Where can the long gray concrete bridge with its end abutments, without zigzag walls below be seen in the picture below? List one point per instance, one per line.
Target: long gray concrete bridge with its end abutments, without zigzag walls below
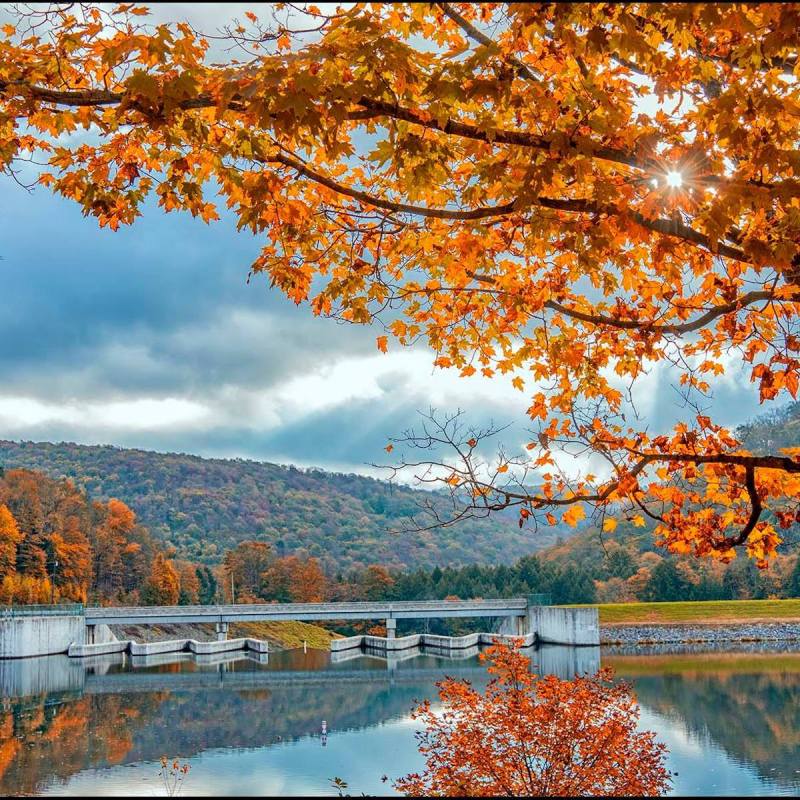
(28, 631)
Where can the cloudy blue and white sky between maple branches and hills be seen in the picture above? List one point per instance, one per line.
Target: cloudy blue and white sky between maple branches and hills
(152, 337)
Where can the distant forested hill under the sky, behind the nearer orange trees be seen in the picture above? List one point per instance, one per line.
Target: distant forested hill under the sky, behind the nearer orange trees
(205, 506)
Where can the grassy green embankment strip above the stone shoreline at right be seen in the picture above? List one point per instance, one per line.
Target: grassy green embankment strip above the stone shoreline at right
(699, 611)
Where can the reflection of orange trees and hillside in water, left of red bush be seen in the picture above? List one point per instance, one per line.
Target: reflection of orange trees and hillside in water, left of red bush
(56, 735)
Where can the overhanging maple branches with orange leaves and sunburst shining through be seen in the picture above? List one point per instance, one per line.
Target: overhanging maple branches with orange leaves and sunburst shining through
(563, 194)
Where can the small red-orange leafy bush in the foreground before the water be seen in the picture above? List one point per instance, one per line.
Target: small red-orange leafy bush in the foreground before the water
(529, 736)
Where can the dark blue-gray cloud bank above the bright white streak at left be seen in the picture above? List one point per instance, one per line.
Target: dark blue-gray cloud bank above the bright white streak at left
(159, 308)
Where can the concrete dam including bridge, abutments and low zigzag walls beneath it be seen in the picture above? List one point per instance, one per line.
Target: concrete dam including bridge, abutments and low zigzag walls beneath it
(27, 631)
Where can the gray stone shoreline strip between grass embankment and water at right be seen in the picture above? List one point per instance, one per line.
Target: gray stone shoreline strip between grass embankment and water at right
(673, 633)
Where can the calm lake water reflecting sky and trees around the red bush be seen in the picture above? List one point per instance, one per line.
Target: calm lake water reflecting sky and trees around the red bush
(731, 720)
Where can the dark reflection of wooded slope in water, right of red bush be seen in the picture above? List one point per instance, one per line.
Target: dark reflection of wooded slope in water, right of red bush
(754, 716)
